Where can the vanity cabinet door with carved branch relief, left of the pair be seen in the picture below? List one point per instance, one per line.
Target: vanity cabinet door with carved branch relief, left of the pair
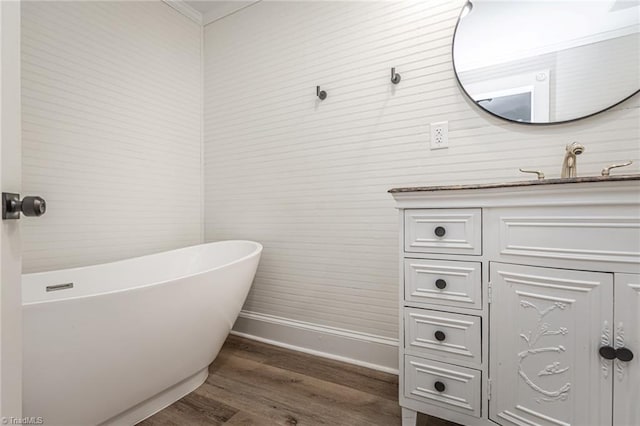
(546, 328)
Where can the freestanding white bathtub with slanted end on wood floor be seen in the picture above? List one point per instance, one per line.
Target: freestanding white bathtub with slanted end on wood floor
(130, 337)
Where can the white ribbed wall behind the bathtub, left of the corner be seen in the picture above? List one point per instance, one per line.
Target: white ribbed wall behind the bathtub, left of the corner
(111, 104)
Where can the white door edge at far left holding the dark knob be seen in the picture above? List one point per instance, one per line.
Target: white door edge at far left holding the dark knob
(11, 377)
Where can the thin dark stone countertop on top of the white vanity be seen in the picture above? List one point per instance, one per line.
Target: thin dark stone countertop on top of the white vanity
(557, 181)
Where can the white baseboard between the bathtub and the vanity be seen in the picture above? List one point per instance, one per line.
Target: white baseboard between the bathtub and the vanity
(366, 350)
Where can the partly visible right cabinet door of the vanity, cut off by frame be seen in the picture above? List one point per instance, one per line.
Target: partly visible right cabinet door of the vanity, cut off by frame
(626, 376)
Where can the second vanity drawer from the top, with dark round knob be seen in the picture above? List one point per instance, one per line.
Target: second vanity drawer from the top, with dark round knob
(443, 282)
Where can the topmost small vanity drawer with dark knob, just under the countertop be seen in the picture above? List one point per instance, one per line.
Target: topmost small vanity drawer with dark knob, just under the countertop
(446, 231)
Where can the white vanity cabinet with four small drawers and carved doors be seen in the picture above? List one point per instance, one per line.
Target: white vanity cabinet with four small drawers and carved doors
(520, 303)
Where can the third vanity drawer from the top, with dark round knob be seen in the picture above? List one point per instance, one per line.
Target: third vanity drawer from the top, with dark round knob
(447, 336)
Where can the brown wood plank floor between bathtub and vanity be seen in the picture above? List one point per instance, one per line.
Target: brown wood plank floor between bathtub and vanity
(251, 383)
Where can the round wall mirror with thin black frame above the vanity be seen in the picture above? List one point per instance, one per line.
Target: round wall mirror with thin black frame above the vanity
(541, 62)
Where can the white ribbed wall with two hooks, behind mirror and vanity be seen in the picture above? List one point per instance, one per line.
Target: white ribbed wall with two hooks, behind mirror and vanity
(308, 179)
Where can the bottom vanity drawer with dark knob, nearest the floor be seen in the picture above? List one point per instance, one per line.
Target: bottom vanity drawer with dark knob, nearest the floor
(443, 385)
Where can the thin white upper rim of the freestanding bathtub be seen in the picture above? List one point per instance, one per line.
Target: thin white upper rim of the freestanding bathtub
(257, 251)
